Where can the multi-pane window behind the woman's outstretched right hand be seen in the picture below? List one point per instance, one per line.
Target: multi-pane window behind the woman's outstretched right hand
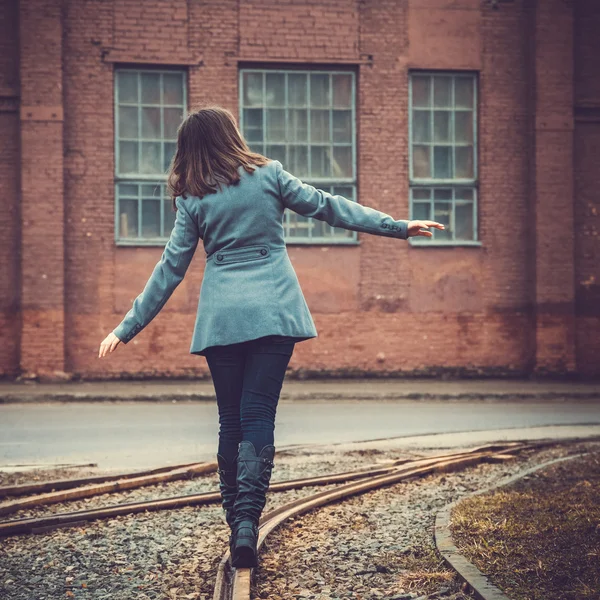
(443, 155)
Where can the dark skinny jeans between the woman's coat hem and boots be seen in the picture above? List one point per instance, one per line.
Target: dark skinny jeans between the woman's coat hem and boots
(248, 377)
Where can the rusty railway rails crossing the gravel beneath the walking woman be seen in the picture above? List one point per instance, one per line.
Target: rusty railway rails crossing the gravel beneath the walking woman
(231, 583)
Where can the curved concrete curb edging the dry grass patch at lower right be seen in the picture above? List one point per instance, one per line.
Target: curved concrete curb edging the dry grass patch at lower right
(482, 587)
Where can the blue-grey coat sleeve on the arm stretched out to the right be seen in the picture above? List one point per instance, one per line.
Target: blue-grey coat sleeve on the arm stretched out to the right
(335, 210)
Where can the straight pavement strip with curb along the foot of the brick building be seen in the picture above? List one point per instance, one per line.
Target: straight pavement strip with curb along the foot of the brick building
(365, 388)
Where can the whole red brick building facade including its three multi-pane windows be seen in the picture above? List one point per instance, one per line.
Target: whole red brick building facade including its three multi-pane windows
(518, 293)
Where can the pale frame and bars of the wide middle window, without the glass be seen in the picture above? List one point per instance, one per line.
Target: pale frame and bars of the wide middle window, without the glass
(327, 184)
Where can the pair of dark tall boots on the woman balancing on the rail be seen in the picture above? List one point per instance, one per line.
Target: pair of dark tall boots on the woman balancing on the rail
(253, 476)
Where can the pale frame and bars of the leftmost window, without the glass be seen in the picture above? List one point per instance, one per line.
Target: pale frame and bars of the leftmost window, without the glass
(140, 179)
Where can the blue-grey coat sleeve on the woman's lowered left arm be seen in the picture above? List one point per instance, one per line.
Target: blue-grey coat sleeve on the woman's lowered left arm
(166, 276)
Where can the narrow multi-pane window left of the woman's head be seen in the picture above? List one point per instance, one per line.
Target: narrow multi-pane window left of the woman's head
(149, 106)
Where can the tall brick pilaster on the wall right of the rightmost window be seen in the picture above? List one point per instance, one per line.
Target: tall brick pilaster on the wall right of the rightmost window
(554, 185)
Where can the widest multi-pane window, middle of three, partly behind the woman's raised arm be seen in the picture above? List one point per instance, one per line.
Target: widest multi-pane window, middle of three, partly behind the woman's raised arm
(306, 120)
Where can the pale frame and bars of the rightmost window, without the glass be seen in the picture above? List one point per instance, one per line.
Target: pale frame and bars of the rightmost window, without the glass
(453, 184)
